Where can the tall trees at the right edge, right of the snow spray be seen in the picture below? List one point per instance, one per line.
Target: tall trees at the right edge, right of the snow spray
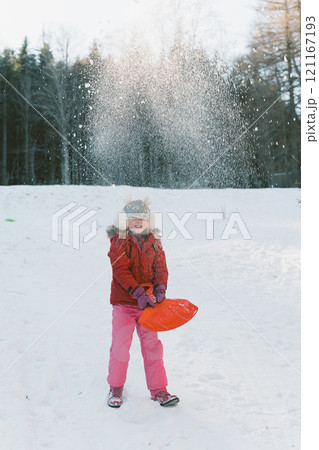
(269, 75)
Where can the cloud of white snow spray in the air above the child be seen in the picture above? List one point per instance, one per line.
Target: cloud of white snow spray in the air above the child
(168, 121)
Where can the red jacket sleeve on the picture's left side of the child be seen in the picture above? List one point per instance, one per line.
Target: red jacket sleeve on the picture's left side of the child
(121, 265)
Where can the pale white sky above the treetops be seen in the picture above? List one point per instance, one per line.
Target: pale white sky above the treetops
(222, 24)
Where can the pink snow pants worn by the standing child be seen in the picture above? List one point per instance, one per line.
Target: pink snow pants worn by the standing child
(124, 321)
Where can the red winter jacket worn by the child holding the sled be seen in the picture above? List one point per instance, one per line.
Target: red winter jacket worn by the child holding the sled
(132, 266)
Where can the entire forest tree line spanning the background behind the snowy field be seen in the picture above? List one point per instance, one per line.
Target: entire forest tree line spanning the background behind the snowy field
(157, 122)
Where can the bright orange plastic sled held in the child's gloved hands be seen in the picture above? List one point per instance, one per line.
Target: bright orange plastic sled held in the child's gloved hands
(167, 315)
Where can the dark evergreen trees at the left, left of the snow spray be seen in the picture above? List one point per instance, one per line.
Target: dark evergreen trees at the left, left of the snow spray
(38, 91)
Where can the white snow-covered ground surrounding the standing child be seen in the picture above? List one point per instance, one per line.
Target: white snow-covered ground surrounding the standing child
(235, 366)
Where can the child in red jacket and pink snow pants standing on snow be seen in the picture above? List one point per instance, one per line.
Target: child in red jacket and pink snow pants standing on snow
(137, 257)
